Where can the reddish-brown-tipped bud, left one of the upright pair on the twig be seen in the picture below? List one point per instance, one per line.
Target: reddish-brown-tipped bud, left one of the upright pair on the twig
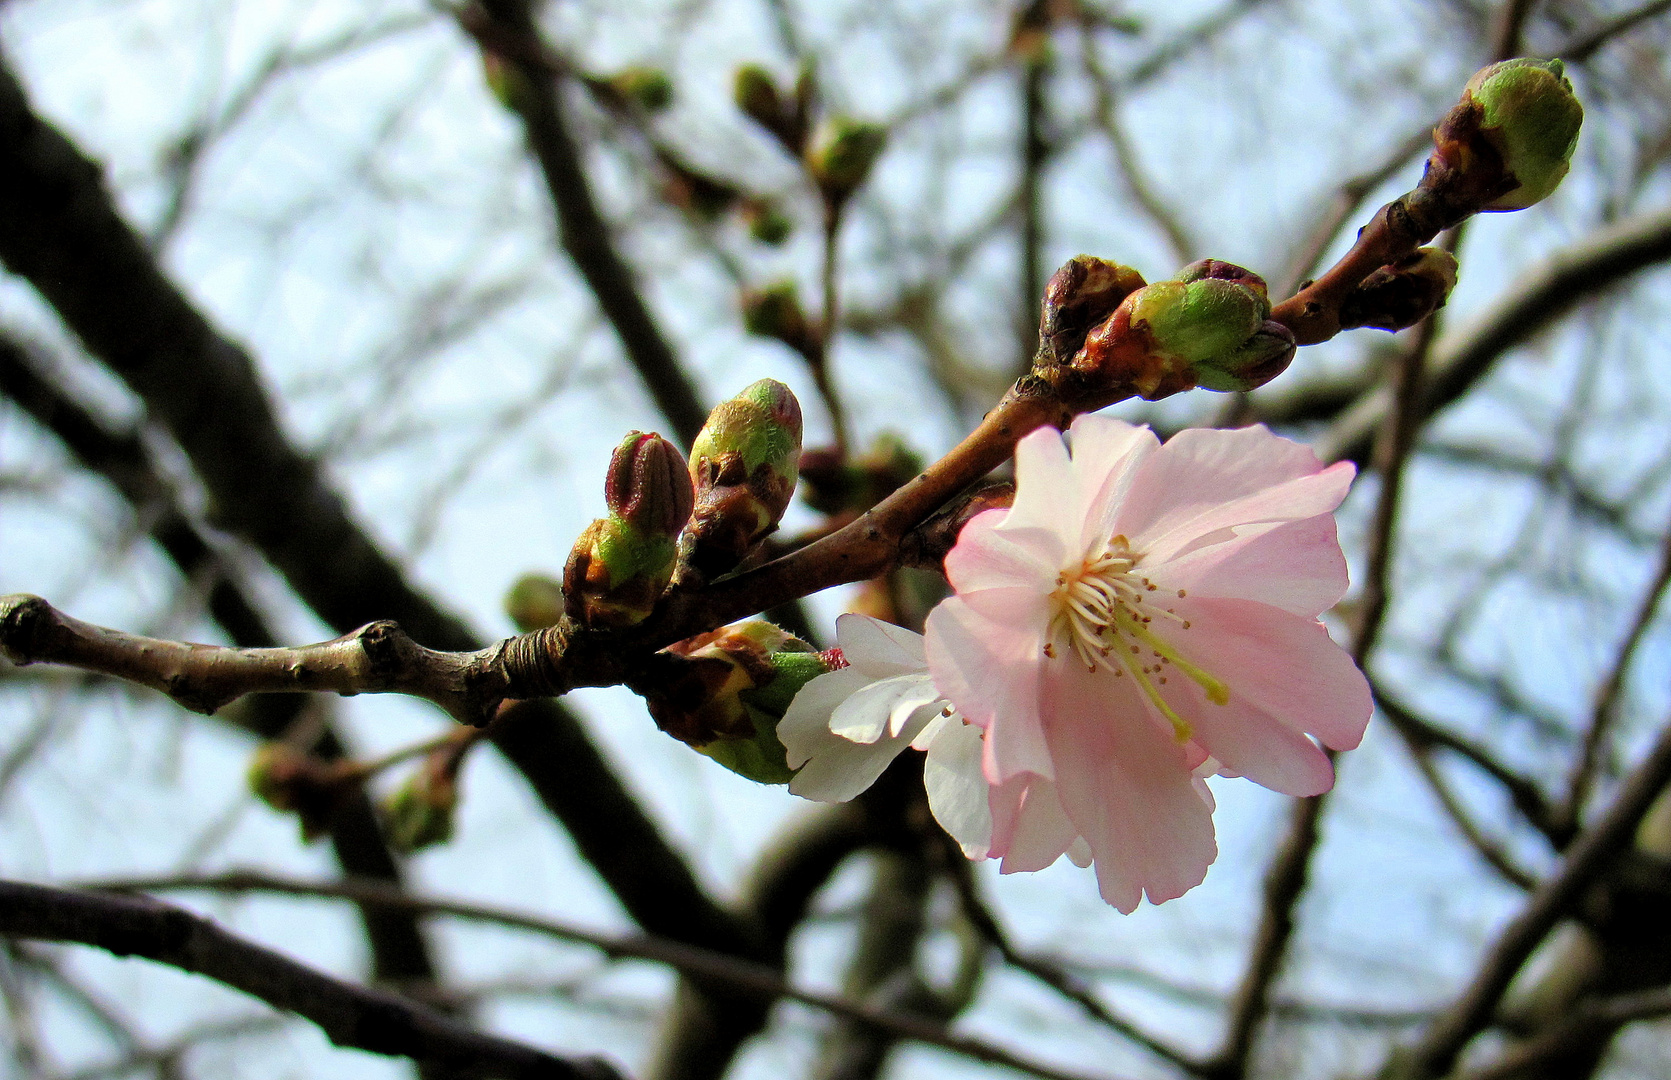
(621, 566)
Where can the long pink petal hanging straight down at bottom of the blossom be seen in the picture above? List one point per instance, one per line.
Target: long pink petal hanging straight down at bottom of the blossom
(1124, 783)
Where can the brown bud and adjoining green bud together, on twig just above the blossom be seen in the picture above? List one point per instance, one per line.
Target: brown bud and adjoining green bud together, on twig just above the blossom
(1209, 327)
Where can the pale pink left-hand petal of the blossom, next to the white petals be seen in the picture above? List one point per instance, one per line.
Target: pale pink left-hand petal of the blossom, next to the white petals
(992, 673)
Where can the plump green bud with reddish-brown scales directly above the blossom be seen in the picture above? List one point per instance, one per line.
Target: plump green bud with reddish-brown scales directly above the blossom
(1209, 327)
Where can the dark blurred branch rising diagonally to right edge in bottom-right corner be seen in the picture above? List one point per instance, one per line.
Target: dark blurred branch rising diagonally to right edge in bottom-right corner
(1585, 862)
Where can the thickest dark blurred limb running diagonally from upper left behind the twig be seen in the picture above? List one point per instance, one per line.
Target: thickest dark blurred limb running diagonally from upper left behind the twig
(61, 230)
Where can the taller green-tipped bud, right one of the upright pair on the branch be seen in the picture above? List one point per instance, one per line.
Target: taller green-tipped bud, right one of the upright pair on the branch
(744, 466)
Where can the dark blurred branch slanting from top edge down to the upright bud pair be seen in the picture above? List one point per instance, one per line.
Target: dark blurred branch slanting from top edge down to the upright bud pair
(507, 29)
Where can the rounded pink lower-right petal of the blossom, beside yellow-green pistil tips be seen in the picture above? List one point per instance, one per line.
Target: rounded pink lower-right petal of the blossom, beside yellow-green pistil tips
(1279, 663)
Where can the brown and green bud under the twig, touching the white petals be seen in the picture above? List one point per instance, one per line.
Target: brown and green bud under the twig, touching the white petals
(728, 690)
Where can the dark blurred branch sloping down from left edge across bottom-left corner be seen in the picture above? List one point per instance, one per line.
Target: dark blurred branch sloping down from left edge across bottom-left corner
(358, 1017)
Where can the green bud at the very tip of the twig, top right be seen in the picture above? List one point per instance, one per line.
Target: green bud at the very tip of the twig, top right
(1533, 120)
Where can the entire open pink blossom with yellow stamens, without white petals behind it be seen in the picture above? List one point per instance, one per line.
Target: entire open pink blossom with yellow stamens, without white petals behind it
(1140, 616)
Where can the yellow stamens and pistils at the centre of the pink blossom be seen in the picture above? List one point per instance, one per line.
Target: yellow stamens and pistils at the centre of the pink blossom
(1104, 616)
